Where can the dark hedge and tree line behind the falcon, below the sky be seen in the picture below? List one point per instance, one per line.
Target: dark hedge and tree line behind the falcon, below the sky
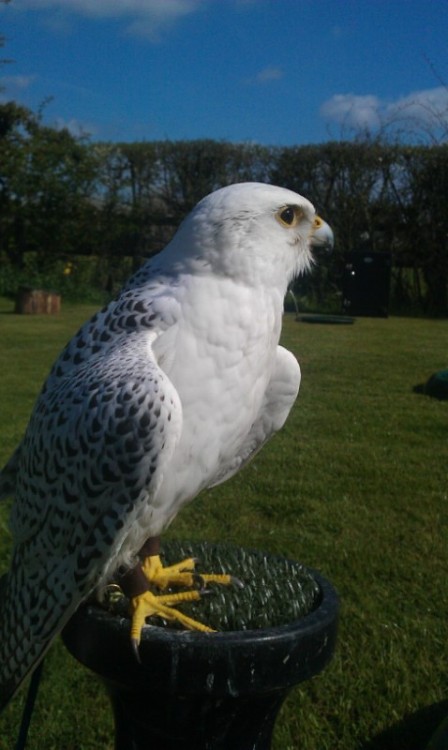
(77, 213)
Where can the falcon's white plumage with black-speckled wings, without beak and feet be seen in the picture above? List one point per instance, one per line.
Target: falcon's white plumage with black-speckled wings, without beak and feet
(168, 390)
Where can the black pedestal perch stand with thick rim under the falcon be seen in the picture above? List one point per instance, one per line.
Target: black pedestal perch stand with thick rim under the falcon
(203, 691)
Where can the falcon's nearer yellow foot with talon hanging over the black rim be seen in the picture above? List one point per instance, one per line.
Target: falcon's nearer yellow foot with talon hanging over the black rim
(149, 604)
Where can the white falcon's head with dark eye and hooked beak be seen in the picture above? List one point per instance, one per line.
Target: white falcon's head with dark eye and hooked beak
(255, 233)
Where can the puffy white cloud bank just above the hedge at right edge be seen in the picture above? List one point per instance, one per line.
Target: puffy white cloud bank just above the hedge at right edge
(425, 109)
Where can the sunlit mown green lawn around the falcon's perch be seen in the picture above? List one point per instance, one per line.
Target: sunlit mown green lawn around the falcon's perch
(355, 486)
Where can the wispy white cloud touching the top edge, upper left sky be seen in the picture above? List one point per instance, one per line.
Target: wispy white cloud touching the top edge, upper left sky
(143, 17)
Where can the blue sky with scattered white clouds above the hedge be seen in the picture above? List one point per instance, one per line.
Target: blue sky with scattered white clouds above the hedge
(276, 72)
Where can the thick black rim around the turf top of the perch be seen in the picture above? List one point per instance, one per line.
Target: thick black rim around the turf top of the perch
(219, 664)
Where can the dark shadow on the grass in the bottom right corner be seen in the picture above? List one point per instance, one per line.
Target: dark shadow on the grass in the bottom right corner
(413, 732)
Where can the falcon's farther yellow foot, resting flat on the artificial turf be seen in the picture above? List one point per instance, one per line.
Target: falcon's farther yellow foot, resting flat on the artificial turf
(180, 574)
